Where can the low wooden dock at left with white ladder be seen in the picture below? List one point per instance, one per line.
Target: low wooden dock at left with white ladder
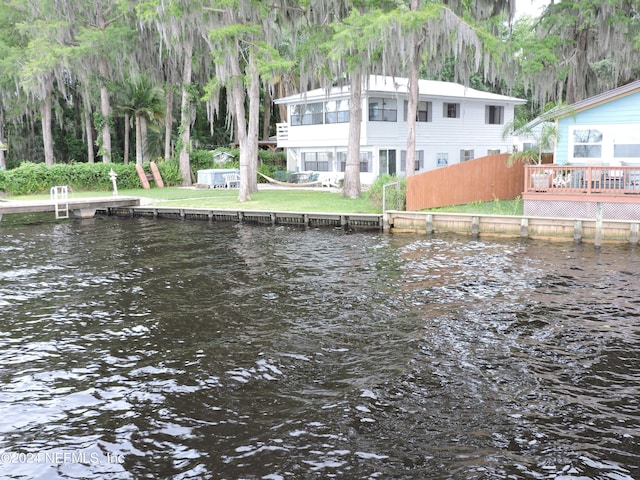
(80, 207)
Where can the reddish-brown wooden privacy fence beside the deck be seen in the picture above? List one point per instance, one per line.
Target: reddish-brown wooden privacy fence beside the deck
(482, 179)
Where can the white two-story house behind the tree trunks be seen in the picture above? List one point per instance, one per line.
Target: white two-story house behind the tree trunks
(454, 124)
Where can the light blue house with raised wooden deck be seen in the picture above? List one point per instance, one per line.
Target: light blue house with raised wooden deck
(596, 169)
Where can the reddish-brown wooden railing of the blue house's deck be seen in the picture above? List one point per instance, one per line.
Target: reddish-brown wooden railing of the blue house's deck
(582, 180)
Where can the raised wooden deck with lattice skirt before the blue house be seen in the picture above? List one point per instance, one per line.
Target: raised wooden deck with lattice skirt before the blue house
(582, 191)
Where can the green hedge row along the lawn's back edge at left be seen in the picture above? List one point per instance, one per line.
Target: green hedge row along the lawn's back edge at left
(30, 178)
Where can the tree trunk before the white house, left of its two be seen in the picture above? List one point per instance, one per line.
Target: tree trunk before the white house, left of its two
(352, 187)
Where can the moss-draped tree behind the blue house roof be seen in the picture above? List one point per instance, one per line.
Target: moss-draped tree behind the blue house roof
(579, 48)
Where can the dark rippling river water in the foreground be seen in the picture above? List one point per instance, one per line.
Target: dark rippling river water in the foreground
(136, 348)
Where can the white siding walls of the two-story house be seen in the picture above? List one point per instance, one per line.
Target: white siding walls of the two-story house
(440, 136)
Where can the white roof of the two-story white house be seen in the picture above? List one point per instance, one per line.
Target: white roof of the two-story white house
(396, 85)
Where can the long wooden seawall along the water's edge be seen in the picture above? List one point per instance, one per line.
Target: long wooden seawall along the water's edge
(593, 230)
